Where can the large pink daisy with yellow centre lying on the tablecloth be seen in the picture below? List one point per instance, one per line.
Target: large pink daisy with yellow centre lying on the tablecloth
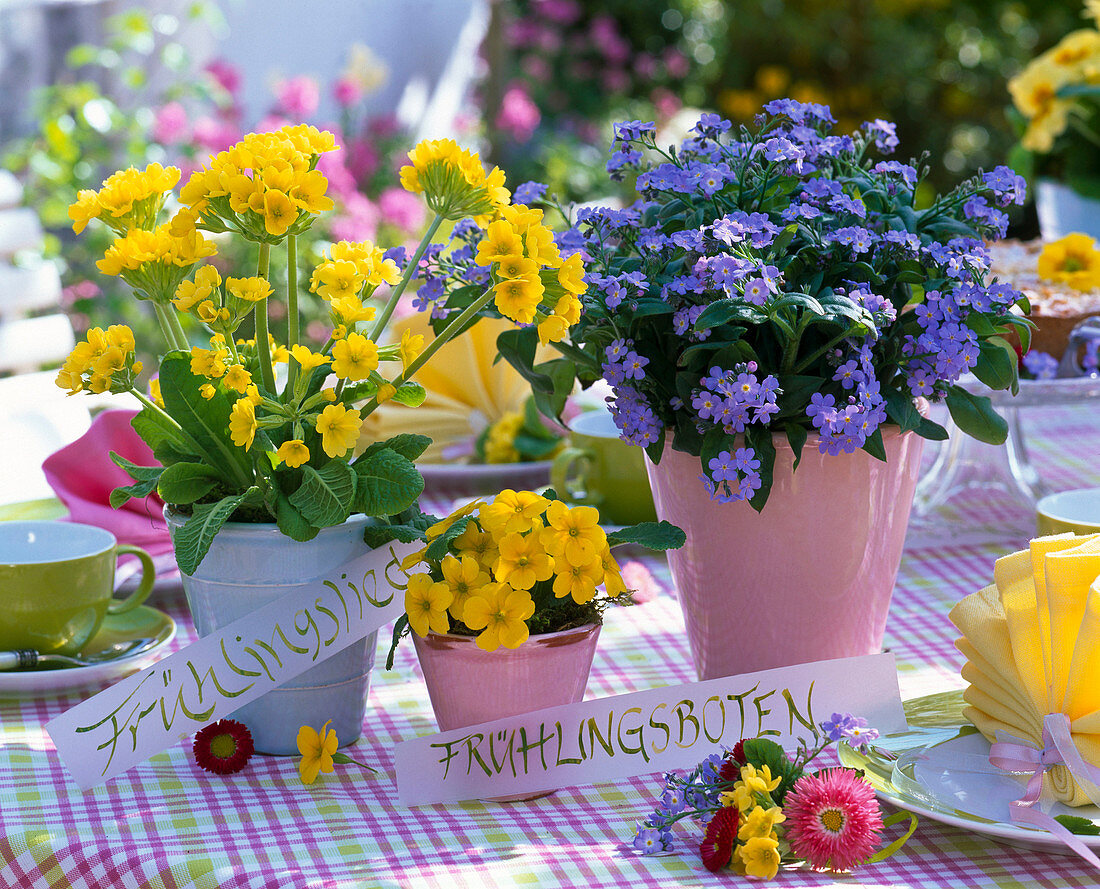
(833, 820)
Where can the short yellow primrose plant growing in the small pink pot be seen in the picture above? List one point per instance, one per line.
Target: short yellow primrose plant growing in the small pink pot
(522, 564)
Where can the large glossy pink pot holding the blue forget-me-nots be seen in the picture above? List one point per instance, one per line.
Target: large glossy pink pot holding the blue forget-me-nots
(810, 578)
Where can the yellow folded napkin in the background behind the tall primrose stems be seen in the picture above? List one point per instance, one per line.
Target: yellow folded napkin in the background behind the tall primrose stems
(466, 392)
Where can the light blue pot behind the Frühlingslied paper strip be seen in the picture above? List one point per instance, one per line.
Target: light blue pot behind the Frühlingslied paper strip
(250, 566)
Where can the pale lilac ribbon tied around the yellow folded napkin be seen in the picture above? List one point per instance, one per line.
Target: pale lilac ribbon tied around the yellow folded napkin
(1014, 754)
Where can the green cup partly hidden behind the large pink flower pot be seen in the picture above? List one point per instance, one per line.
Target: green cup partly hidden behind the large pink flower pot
(601, 470)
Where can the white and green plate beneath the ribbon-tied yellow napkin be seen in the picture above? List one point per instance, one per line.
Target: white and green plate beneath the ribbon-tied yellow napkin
(942, 772)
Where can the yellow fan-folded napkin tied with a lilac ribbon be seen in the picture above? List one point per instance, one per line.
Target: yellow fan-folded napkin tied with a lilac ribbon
(1032, 643)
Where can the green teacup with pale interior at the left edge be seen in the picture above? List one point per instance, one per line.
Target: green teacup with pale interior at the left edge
(58, 585)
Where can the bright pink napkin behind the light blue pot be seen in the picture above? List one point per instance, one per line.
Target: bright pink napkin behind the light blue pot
(84, 476)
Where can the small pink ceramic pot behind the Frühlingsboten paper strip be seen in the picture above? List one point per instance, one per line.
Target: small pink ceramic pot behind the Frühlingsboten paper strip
(468, 686)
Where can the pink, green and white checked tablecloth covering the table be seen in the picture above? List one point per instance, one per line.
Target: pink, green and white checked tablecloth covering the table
(169, 826)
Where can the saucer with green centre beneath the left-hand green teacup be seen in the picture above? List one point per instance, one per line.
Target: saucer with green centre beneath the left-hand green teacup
(141, 622)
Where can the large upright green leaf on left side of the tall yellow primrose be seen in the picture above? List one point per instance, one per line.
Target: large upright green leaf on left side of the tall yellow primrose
(205, 421)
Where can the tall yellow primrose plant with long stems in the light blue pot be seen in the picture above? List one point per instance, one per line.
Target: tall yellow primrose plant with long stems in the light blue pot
(248, 430)
